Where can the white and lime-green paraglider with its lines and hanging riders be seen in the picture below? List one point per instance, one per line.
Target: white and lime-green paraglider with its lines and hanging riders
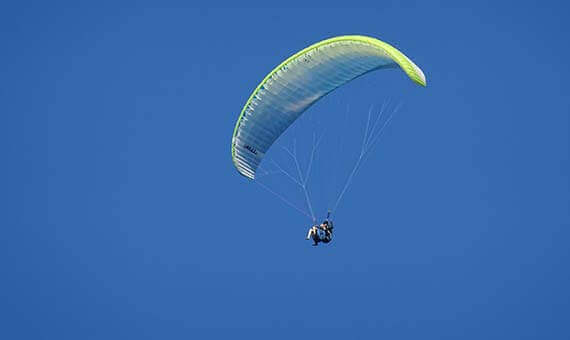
(296, 84)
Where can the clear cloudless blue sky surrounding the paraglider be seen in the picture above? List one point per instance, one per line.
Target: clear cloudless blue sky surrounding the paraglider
(123, 216)
